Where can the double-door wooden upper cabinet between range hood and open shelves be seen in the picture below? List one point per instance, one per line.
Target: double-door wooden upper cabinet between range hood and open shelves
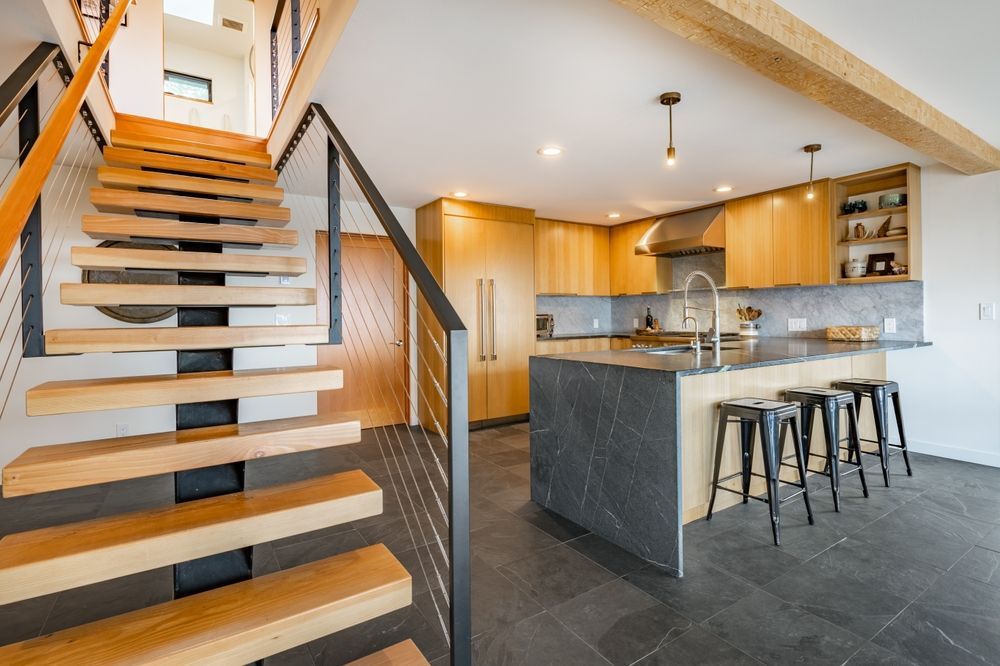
(779, 239)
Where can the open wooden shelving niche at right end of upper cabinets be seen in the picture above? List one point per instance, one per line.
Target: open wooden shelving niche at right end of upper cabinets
(870, 185)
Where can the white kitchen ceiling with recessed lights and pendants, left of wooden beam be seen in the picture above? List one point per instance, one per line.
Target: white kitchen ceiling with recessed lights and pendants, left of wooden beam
(444, 95)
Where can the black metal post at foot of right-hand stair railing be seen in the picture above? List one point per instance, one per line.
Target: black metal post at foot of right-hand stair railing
(458, 498)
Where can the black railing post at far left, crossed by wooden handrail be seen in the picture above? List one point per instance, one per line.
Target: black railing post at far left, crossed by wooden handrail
(32, 329)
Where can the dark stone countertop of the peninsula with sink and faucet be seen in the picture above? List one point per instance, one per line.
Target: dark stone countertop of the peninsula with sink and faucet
(754, 353)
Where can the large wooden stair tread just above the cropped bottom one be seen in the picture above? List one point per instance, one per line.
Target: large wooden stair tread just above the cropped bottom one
(236, 624)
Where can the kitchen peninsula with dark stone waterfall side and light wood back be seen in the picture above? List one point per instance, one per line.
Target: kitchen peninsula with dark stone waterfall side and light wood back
(622, 442)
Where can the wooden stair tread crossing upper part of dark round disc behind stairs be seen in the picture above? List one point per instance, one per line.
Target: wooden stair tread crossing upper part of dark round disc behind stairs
(121, 258)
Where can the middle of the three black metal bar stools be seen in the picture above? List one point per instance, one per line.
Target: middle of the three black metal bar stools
(830, 402)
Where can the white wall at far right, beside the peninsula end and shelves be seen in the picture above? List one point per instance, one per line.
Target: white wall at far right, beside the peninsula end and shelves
(951, 391)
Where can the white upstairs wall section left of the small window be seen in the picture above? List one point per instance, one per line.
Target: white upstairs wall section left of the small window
(137, 61)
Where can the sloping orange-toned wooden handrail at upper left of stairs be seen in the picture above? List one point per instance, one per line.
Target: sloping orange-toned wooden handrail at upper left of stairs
(30, 178)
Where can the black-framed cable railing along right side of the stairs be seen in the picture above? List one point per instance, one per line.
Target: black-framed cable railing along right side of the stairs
(394, 374)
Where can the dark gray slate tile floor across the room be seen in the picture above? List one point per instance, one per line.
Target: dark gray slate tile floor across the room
(909, 576)
